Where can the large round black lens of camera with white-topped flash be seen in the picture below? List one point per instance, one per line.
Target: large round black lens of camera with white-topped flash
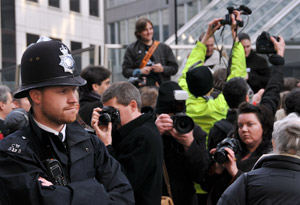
(183, 124)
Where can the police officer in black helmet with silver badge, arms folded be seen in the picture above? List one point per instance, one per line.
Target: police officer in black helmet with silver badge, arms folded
(54, 160)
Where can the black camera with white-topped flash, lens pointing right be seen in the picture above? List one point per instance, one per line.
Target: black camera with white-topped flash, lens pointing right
(181, 122)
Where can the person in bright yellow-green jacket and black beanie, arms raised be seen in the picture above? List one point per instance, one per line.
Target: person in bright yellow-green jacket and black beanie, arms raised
(198, 80)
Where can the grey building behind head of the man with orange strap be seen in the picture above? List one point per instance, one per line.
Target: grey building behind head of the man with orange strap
(121, 15)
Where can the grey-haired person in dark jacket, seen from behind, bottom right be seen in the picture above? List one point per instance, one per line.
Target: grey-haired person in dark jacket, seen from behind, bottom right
(275, 176)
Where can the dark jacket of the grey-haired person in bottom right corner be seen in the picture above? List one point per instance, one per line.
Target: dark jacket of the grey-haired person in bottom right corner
(273, 180)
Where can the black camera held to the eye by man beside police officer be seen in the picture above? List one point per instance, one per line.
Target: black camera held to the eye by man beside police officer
(109, 114)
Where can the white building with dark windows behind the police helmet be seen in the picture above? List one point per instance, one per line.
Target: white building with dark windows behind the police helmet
(77, 23)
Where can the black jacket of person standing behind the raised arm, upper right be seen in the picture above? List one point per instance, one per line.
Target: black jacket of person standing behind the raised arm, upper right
(259, 74)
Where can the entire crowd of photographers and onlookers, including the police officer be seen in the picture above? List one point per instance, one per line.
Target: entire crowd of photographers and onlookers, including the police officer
(225, 133)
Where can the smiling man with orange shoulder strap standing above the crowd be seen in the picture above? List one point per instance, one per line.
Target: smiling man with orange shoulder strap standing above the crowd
(156, 66)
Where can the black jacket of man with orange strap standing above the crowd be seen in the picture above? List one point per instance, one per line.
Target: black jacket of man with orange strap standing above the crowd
(163, 54)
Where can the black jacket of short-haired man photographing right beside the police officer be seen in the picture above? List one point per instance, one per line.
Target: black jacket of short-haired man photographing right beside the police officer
(138, 147)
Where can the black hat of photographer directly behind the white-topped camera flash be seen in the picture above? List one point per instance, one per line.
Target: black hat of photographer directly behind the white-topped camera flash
(165, 101)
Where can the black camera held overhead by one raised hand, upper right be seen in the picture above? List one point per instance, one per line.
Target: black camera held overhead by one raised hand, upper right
(264, 45)
